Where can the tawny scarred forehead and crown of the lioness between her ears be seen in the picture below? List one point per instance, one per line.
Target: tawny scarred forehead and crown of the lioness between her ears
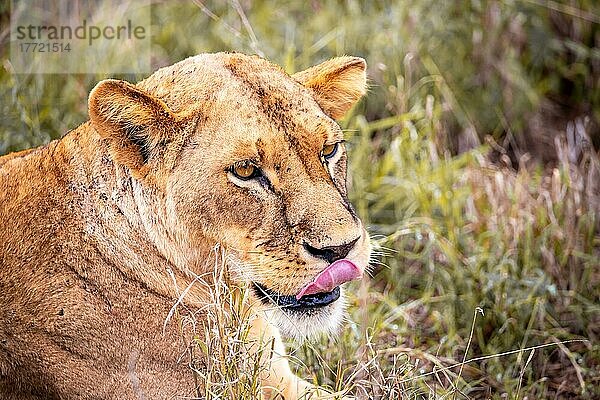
(259, 108)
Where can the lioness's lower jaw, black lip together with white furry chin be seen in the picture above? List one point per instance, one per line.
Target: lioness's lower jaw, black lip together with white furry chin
(307, 318)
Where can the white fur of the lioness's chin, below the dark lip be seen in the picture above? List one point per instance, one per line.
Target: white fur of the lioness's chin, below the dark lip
(310, 324)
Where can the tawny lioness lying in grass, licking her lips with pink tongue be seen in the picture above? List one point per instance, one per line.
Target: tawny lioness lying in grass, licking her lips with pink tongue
(98, 230)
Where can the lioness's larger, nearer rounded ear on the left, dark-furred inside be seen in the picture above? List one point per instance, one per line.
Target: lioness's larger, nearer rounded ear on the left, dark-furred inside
(134, 123)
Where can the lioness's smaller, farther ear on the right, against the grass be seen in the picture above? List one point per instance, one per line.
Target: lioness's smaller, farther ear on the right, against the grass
(337, 84)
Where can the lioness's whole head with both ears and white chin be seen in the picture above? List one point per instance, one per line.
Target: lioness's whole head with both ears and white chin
(229, 149)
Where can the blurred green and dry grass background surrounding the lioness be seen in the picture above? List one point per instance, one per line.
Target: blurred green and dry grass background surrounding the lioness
(473, 160)
